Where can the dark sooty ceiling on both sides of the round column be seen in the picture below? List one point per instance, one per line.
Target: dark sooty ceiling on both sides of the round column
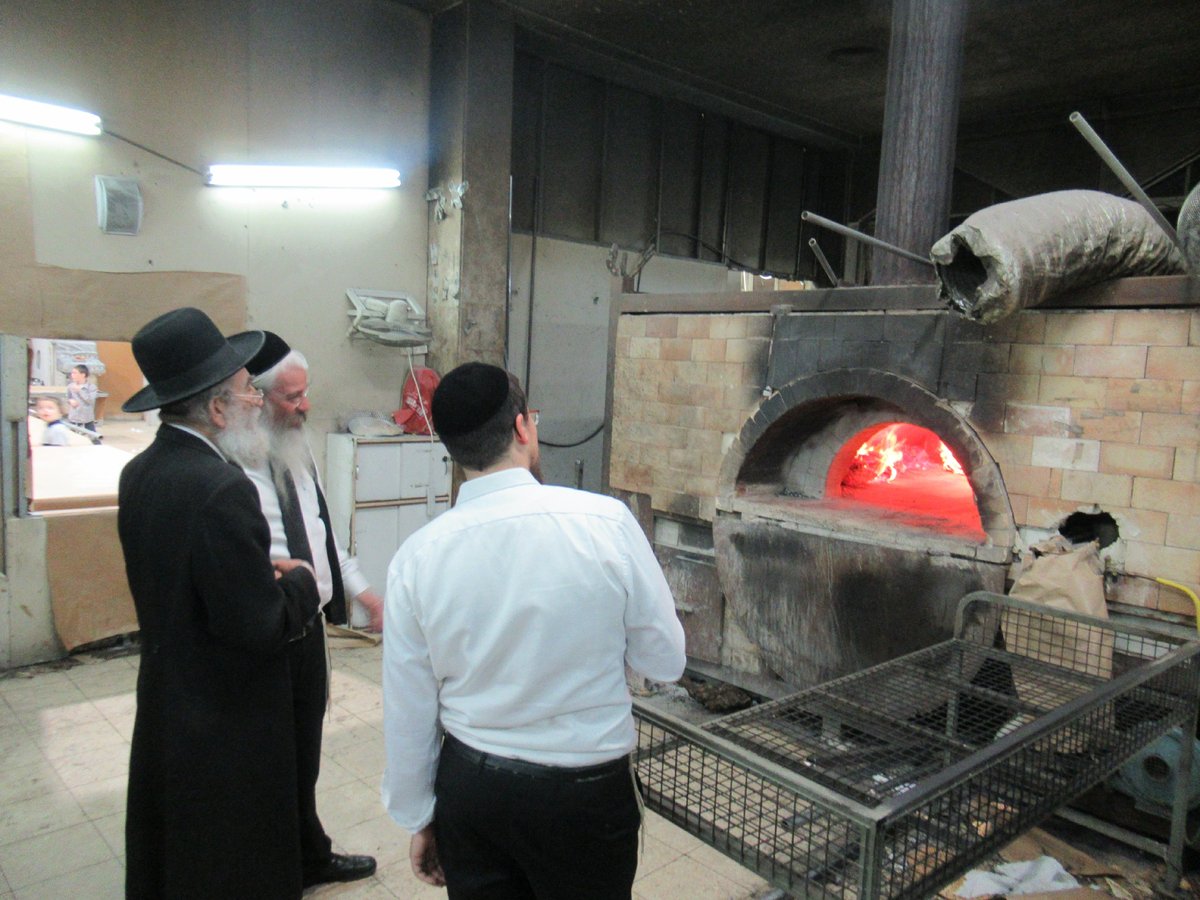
(824, 63)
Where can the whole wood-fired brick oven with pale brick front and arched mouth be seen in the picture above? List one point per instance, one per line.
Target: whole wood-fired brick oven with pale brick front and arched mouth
(1088, 407)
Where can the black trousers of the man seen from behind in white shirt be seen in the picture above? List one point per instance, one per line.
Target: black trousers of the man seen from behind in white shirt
(535, 832)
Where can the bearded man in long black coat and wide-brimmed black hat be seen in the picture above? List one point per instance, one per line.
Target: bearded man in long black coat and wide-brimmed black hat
(213, 785)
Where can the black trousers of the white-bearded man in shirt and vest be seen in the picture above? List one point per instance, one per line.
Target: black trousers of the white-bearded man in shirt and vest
(308, 663)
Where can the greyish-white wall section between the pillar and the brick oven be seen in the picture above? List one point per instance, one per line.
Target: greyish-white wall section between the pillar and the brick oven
(571, 289)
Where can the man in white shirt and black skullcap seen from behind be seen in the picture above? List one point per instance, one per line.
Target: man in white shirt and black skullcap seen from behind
(509, 622)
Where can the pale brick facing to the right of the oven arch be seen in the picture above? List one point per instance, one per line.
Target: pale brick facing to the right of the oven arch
(1102, 415)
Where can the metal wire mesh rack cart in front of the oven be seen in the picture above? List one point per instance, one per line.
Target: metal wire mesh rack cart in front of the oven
(896, 781)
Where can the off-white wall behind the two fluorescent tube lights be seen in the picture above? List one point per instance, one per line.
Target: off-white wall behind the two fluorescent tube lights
(328, 82)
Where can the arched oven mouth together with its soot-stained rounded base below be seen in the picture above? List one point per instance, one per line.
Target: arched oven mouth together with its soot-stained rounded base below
(836, 556)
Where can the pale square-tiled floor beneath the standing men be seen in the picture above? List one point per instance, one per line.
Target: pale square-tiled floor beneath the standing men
(64, 751)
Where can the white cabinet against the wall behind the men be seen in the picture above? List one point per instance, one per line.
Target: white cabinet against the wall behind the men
(380, 491)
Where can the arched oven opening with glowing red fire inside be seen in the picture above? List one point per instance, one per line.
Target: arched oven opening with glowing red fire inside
(794, 455)
